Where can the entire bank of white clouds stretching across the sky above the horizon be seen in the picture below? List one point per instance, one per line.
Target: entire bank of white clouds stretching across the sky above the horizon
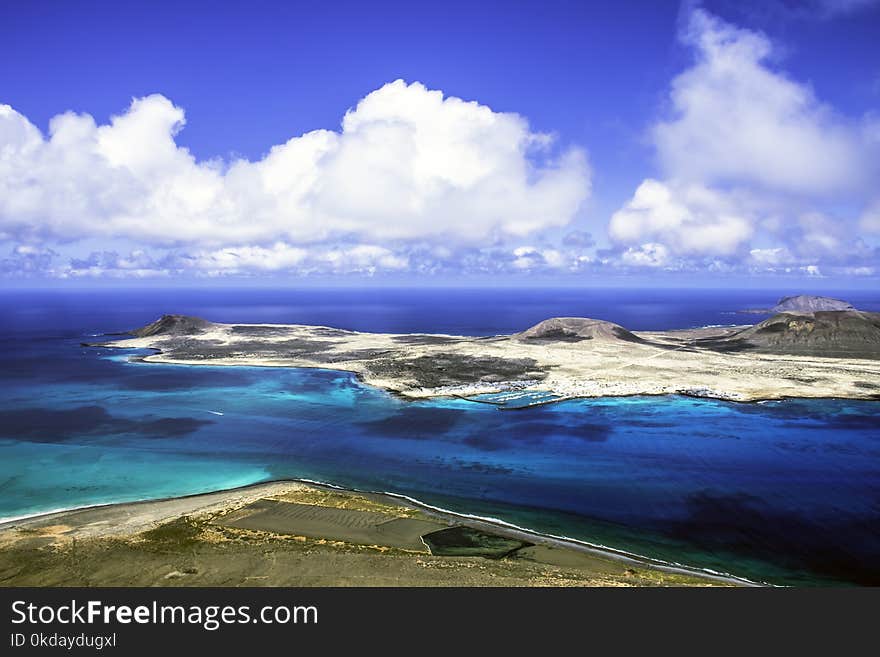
(753, 173)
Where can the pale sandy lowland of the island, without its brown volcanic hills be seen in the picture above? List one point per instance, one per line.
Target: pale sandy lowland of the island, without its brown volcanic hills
(602, 364)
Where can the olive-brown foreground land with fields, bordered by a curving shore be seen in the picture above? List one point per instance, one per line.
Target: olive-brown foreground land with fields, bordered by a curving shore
(293, 533)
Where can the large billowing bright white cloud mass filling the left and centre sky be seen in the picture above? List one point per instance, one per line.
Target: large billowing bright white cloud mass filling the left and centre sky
(407, 164)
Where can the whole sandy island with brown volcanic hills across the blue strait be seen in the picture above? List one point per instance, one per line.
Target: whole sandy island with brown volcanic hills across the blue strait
(797, 353)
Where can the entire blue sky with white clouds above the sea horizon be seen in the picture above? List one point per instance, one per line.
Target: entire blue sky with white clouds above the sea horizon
(572, 143)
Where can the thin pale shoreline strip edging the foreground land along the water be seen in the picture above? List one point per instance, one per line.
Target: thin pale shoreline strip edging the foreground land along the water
(472, 520)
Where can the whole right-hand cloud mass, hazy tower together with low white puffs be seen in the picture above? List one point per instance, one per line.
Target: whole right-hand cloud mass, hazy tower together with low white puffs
(749, 158)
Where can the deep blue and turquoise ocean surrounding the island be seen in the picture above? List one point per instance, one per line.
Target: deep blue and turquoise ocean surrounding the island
(784, 492)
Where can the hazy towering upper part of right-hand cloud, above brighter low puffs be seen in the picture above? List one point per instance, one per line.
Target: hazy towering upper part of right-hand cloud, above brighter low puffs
(736, 120)
